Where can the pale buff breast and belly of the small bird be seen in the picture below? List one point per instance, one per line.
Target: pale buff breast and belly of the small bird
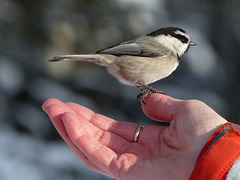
(132, 69)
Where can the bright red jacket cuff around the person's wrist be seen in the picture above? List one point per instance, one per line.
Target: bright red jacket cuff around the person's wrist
(219, 153)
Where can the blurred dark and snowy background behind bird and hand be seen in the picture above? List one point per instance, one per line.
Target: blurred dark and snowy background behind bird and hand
(33, 31)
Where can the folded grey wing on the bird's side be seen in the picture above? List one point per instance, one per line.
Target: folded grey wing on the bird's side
(134, 49)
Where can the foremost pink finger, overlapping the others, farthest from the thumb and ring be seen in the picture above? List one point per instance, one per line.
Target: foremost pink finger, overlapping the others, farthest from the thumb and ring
(98, 154)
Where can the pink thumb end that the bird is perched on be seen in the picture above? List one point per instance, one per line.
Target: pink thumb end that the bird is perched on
(161, 107)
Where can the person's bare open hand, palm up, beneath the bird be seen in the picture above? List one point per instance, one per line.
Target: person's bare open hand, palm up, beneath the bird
(106, 145)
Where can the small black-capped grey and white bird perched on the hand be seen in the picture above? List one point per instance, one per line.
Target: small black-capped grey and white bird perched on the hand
(141, 61)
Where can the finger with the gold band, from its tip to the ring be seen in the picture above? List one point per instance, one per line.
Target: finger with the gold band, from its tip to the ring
(123, 129)
